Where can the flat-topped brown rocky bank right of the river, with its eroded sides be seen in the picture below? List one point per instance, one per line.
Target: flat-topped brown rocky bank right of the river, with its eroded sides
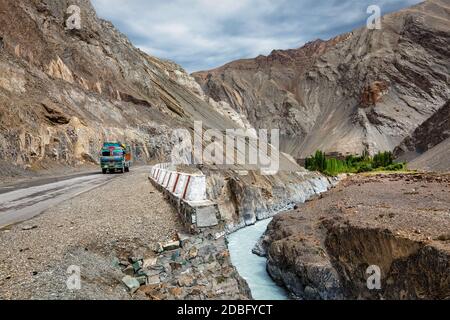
(324, 249)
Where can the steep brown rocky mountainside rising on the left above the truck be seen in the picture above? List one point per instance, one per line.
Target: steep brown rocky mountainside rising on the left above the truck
(63, 92)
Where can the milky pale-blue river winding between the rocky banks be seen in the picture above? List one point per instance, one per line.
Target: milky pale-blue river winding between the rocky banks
(252, 267)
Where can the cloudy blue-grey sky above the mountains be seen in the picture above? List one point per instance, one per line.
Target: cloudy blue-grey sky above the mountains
(204, 34)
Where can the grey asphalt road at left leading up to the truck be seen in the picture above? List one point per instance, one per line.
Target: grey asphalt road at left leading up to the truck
(26, 200)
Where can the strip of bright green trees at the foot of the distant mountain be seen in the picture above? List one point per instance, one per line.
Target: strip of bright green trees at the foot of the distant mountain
(383, 161)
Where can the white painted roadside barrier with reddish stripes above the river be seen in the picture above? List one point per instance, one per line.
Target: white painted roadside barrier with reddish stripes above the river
(189, 187)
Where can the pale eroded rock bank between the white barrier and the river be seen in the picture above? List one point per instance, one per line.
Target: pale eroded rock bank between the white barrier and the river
(245, 199)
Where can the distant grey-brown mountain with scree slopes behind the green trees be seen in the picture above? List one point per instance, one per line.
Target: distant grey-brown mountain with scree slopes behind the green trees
(368, 89)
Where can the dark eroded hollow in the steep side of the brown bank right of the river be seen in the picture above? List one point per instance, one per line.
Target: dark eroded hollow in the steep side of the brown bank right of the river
(416, 270)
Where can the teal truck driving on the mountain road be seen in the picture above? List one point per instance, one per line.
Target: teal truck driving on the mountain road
(115, 156)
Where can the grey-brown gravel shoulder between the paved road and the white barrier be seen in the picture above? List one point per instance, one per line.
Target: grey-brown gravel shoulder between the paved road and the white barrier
(93, 231)
